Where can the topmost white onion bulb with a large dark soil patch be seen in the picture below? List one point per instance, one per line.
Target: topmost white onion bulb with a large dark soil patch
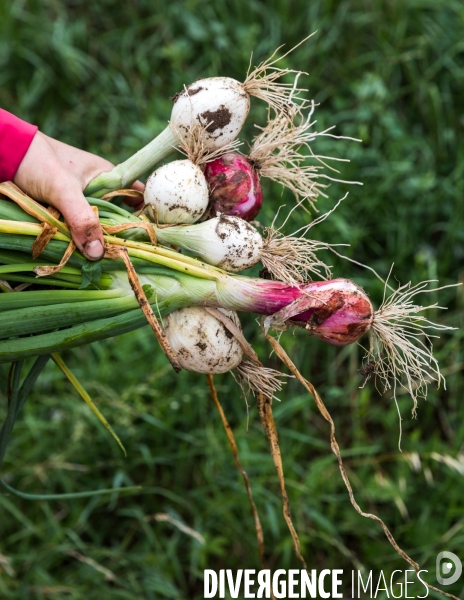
(219, 103)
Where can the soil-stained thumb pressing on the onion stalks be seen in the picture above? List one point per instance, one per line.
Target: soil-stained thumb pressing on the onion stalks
(84, 225)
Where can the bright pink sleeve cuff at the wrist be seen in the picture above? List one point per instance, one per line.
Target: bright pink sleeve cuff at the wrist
(15, 138)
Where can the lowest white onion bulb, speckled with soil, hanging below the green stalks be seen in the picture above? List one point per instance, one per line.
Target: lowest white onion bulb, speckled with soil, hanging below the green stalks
(202, 343)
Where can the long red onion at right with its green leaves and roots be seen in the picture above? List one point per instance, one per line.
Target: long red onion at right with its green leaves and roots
(38, 322)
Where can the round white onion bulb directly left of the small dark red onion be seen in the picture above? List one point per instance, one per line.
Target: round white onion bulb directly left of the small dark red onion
(177, 193)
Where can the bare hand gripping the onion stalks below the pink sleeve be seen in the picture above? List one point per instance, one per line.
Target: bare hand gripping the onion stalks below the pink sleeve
(56, 173)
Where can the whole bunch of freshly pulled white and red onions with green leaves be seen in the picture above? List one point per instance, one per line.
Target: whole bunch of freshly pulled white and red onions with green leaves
(196, 299)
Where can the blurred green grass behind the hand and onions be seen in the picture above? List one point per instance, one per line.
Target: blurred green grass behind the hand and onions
(99, 75)
